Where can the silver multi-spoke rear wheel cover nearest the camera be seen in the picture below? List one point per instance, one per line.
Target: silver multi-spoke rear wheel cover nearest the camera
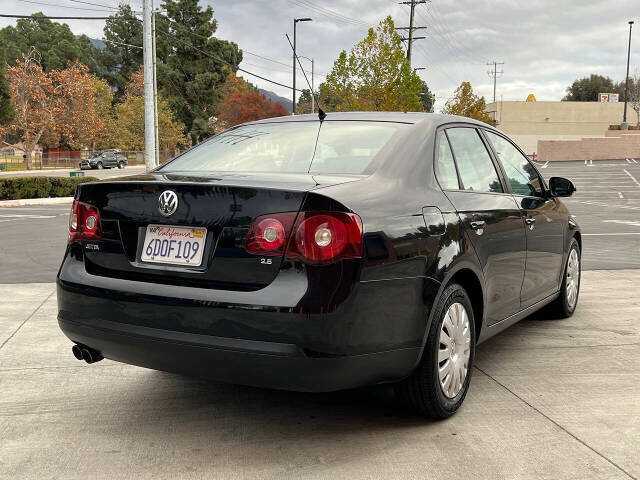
(454, 351)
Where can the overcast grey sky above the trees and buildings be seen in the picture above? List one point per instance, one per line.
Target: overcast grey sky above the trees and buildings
(544, 44)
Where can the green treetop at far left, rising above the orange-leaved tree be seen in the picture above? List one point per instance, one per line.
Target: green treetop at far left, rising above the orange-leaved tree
(57, 44)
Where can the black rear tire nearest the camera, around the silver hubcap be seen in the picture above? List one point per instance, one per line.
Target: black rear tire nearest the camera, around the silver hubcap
(423, 391)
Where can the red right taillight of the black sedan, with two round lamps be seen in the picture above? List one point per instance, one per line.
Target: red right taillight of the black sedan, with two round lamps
(315, 237)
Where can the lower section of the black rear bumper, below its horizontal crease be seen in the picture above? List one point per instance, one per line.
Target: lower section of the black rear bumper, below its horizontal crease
(261, 364)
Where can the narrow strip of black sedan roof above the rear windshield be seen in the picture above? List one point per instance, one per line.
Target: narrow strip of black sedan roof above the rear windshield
(398, 117)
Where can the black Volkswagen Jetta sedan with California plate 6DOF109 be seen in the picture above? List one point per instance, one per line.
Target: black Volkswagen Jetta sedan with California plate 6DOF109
(305, 255)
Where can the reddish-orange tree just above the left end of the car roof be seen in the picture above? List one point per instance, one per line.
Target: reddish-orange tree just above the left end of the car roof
(245, 107)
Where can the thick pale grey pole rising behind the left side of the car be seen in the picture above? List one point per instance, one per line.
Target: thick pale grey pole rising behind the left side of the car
(147, 53)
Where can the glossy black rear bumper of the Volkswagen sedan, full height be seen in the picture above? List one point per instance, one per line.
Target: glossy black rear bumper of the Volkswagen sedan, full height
(263, 338)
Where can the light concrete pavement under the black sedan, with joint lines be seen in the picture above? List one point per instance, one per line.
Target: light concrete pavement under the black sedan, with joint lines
(548, 400)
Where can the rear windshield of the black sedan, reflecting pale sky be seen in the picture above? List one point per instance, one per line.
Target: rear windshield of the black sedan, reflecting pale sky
(342, 147)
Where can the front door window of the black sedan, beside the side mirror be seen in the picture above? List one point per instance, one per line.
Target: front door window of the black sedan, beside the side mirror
(522, 176)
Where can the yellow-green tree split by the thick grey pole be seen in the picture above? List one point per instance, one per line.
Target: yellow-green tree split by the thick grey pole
(127, 132)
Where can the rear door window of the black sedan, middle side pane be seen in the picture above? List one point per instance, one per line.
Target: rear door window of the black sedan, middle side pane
(477, 171)
